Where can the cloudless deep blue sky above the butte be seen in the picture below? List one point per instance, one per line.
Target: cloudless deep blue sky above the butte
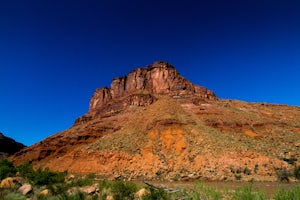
(55, 53)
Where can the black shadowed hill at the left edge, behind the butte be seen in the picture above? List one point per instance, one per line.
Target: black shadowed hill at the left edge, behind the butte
(9, 146)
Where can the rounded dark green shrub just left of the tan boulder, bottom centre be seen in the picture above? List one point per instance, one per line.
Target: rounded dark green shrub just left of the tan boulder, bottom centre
(123, 190)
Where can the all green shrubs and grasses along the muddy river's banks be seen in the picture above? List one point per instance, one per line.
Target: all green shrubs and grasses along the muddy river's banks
(61, 187)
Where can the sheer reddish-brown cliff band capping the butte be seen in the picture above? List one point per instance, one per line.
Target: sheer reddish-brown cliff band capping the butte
(158, 78)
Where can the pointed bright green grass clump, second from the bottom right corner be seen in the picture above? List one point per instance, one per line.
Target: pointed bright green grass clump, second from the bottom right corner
(246, 193)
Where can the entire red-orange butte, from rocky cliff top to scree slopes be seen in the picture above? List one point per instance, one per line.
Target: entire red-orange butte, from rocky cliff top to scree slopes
(153, 123)
